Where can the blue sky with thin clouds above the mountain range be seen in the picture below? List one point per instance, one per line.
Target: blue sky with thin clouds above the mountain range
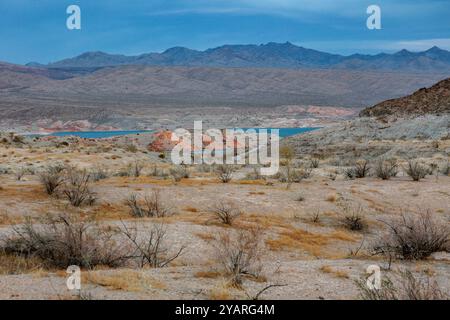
(35, 30)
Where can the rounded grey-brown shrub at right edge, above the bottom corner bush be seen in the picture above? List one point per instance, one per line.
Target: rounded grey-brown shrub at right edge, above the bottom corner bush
(413, 237)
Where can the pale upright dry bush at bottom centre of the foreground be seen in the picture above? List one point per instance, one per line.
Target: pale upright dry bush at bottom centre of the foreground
(239, 253)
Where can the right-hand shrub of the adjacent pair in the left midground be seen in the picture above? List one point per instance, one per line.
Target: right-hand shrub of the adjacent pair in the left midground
(76, 188)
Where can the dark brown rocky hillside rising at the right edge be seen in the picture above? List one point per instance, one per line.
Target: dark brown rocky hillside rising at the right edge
(433, 100)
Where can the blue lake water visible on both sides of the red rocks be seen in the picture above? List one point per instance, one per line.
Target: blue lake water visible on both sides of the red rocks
(284, 132)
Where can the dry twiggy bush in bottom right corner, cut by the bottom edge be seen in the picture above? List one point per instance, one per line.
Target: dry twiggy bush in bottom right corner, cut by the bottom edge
(408, 287)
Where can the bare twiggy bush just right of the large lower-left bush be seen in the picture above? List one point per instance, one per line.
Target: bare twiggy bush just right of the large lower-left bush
(150, 249)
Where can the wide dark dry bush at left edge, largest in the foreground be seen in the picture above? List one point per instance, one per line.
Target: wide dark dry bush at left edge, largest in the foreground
(61, 241)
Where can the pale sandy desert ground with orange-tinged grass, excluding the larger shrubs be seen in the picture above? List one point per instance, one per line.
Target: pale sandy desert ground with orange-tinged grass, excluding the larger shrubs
(305, 247)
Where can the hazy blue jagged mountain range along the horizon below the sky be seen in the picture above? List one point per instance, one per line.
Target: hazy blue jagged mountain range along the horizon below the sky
(271, 55)
